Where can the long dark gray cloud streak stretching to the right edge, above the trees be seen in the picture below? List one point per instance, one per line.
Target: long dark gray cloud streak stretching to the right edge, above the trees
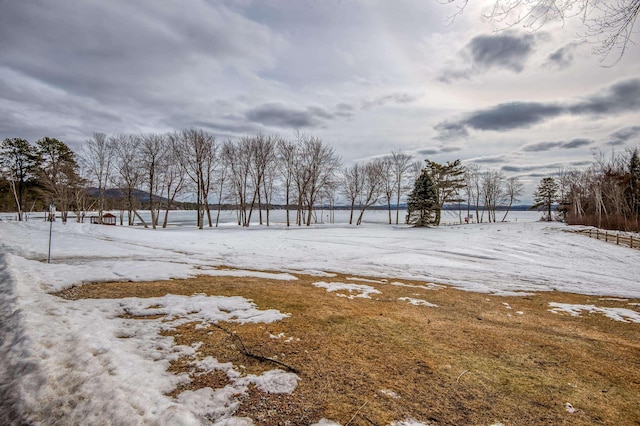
(621, 97)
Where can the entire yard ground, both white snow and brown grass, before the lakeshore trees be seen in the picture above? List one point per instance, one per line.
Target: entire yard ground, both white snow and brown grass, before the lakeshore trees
(91, 360)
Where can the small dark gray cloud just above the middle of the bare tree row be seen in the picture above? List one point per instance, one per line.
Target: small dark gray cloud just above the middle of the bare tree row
(278, 115)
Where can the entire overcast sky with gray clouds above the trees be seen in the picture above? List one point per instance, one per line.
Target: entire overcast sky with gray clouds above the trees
(366, 76)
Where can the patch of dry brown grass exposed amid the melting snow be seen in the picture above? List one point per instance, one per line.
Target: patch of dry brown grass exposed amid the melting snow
(471, 360)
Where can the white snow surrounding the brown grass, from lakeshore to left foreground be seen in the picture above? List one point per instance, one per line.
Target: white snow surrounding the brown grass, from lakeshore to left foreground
(79, 362)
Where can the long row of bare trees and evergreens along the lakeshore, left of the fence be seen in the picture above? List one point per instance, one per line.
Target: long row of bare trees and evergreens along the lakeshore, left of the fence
(250, 174)
